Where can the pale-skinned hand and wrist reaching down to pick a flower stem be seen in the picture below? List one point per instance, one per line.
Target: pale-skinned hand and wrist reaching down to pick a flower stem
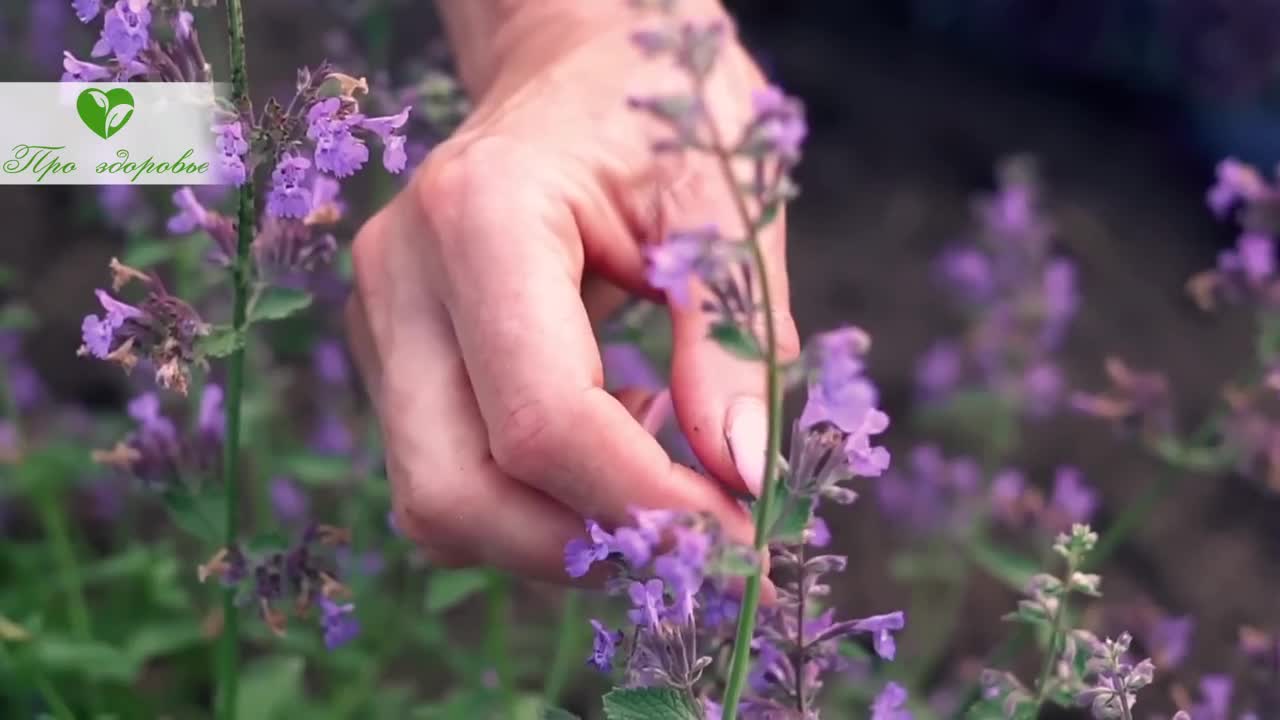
(478, 288)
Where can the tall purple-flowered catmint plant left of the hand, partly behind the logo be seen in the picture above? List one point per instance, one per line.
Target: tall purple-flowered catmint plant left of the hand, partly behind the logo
(312, 143)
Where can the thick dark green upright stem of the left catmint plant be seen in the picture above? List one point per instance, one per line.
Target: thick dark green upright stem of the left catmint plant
(230, 650)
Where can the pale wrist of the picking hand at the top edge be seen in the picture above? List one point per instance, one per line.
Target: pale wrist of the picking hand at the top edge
(509, 38)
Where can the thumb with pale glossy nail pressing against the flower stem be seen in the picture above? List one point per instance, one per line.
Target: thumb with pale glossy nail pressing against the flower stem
(720, 399)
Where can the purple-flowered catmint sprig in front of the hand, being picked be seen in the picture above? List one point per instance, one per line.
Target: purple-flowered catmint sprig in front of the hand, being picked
(685, 623)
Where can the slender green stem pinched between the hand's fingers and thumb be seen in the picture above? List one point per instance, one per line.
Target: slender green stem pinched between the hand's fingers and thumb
(742, 660)
